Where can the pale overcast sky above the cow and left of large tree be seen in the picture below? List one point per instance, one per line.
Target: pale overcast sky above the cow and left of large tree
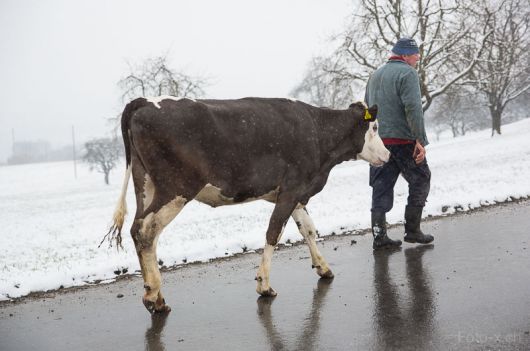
(60, 60)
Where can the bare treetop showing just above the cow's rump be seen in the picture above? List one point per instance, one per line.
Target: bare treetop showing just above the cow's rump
(154, 77)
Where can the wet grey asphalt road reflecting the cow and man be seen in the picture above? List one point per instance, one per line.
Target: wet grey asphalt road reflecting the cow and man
(468, 291)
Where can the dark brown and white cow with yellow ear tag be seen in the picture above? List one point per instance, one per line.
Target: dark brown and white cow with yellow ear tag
(224, 152)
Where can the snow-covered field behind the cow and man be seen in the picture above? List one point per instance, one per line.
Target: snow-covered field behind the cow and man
(52, 223)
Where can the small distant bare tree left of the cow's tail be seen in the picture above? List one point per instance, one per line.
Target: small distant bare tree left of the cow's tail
(102, 154)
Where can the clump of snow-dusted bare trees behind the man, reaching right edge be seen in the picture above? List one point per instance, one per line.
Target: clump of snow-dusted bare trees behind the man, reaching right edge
(473, 54)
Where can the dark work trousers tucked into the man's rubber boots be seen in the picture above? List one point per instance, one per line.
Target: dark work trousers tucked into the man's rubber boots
(383, 179)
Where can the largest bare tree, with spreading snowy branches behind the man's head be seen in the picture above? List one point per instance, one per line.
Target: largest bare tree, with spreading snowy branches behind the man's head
(442, 28)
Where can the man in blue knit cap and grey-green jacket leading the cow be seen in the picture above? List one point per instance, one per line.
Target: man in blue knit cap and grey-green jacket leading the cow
(395, 89)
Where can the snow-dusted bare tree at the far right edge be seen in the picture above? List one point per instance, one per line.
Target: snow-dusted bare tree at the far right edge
(504, 72)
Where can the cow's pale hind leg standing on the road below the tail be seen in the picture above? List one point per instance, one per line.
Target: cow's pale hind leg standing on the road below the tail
(145, 232)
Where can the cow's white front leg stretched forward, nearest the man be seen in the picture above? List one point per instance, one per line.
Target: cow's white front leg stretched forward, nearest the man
(308, 231)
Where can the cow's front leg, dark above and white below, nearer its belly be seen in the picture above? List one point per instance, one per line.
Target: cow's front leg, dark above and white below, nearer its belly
(284, 206)
